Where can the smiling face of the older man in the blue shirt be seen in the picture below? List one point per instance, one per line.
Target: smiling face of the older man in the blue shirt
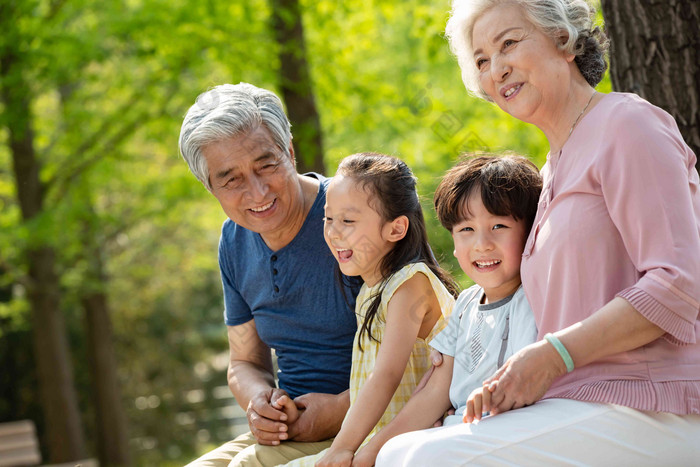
(255, 182)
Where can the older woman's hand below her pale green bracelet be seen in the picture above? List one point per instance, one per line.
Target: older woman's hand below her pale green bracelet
(524, 378)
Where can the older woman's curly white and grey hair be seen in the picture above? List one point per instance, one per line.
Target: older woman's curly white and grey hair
(553, 17)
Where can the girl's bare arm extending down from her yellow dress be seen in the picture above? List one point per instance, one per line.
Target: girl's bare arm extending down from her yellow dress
(410, 304)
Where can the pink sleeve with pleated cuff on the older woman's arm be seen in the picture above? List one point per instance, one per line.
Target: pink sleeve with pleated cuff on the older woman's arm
(650, 187)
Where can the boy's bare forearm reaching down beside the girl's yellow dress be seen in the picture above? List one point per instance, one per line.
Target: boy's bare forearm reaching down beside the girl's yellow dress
(420, 412)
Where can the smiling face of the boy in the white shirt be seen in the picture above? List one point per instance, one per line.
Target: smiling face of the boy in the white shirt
(489, 249)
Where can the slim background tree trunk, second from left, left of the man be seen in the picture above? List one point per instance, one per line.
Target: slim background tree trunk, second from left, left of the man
(110, 421)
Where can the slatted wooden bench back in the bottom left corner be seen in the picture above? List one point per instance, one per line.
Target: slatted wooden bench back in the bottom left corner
(19, 444)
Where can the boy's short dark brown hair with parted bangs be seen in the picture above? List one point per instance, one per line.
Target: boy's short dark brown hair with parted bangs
(509, 186)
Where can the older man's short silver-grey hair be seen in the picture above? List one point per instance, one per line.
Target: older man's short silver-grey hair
(226, 111)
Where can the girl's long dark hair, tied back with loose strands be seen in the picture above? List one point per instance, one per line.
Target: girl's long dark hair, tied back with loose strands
(392, 193)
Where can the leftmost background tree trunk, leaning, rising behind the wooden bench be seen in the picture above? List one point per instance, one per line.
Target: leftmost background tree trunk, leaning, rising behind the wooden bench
(59, 400)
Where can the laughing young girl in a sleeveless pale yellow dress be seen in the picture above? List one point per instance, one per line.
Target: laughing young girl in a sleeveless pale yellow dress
(374, 226)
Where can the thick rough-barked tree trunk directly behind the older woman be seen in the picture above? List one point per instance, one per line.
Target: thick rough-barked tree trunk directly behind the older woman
(655, 53)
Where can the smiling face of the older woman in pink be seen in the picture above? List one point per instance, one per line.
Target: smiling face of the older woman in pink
(519, 67)
